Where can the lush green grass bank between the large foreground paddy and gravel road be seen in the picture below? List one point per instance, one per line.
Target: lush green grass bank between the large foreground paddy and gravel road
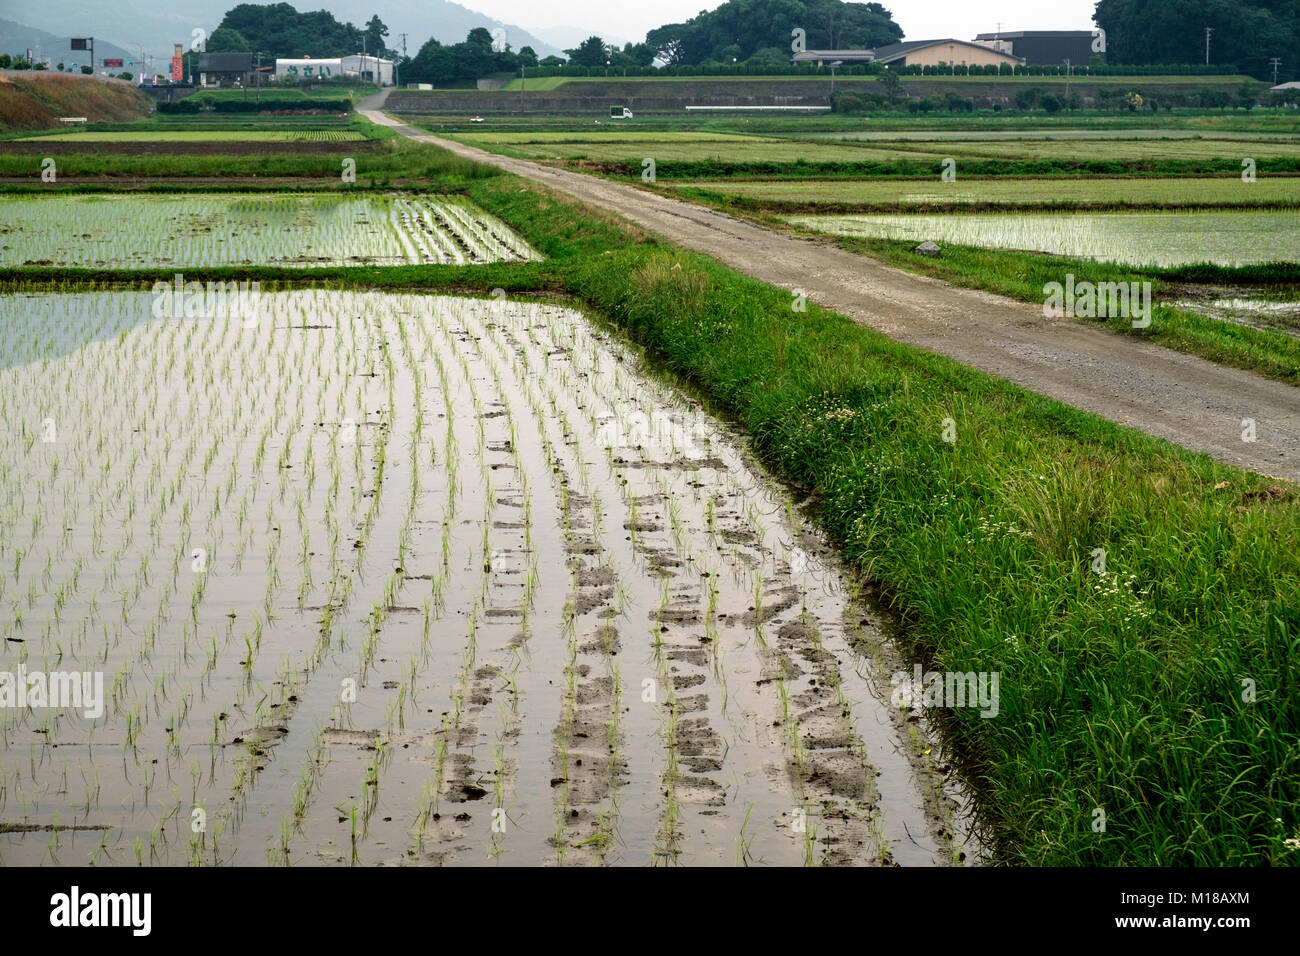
(1123, 693)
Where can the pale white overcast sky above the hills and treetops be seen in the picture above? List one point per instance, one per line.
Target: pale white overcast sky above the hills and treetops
(920, 19)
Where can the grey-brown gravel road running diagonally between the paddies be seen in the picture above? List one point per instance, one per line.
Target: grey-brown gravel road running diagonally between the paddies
(1185, 400)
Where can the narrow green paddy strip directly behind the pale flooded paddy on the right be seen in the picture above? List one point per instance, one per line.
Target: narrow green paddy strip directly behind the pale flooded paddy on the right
(972, 192)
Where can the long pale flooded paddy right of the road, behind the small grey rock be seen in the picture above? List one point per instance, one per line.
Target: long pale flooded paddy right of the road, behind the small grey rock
(1133, 239)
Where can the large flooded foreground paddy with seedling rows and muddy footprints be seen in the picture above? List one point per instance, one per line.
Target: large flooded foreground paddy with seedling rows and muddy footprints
(475, 586)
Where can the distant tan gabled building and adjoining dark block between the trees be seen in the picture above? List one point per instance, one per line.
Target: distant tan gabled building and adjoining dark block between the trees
(1020, 49)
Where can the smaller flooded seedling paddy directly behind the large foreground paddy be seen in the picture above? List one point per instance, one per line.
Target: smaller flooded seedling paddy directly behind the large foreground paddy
(300, 230)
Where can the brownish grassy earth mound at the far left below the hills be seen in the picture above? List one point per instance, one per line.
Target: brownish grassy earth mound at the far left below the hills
(36, 101)
